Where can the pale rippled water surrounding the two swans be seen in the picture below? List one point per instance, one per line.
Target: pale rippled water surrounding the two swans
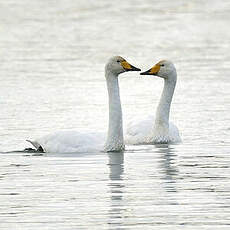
(52, 78)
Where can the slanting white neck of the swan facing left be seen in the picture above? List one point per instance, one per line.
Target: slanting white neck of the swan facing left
(163, 109)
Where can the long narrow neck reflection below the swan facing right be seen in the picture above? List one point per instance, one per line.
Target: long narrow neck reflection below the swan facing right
(116, 166)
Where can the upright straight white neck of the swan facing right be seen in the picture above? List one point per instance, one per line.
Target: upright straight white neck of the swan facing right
(115, 140)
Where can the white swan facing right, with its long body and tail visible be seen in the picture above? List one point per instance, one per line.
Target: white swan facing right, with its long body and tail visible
(74, 141)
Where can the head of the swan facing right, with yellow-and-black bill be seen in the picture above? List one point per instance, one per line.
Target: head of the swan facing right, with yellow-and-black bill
(118, 65)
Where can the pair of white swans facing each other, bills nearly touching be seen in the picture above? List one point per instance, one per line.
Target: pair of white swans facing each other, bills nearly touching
(145, 132)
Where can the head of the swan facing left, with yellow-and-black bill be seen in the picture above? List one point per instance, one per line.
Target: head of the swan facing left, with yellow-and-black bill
(164, 69)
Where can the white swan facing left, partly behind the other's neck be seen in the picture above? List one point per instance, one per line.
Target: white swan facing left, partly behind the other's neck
(160, 131)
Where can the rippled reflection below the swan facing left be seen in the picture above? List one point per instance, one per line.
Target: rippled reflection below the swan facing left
(168, 167)
